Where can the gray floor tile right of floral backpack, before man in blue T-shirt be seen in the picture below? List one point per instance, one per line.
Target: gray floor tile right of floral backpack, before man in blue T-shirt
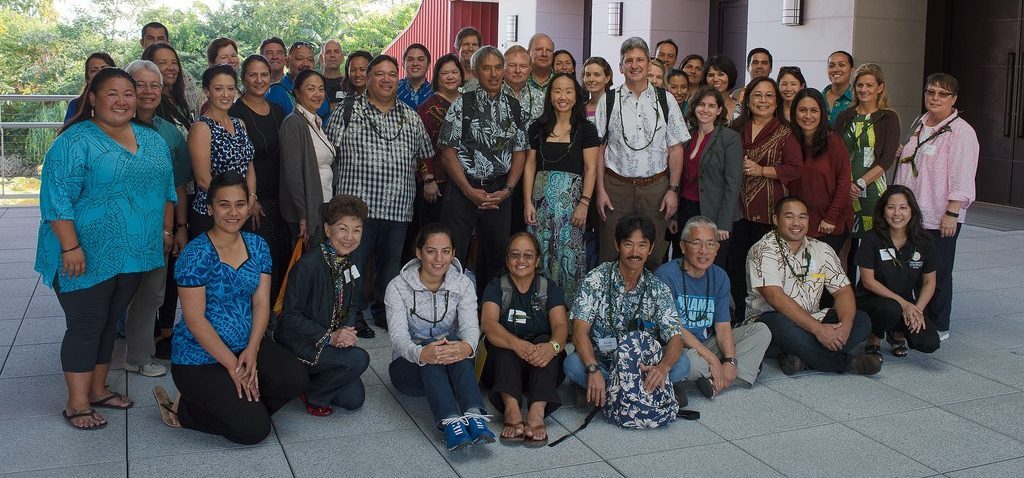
(759, 411)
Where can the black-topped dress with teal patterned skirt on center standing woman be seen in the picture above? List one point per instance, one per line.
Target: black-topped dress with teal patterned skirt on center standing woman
(558, 189)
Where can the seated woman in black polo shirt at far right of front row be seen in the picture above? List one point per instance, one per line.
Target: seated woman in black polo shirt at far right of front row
(898, 277)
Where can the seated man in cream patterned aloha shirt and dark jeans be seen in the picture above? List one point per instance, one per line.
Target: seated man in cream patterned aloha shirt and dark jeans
(788, 273)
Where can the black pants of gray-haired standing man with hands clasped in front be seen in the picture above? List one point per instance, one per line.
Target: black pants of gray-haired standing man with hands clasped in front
(492, 227)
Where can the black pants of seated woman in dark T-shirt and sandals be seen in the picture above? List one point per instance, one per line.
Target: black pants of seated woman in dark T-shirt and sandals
(506, 373)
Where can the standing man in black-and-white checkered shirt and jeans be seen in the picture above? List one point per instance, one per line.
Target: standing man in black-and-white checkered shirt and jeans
(379, 147)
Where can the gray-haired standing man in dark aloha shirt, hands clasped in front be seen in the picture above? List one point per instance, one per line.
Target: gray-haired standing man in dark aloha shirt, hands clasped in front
(484, 148)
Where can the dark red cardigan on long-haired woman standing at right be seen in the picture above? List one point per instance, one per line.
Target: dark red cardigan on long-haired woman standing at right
(825, 186)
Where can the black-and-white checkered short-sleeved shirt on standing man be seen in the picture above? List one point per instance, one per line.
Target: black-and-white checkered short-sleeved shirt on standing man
(378, 155)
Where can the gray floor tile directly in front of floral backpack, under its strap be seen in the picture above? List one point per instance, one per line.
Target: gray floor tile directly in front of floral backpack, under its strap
(608, 440)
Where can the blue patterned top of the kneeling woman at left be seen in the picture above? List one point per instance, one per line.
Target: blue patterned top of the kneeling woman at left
(229, 295)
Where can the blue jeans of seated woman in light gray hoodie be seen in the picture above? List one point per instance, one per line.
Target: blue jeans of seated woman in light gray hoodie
(451, 390)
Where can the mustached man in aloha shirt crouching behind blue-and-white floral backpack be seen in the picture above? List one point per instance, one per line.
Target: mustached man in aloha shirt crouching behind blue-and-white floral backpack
(627, 335)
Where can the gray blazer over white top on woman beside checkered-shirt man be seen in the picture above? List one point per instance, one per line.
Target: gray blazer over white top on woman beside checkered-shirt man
(302, 195)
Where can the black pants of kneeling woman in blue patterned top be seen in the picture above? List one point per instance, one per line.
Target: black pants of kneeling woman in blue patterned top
(211, 405)
